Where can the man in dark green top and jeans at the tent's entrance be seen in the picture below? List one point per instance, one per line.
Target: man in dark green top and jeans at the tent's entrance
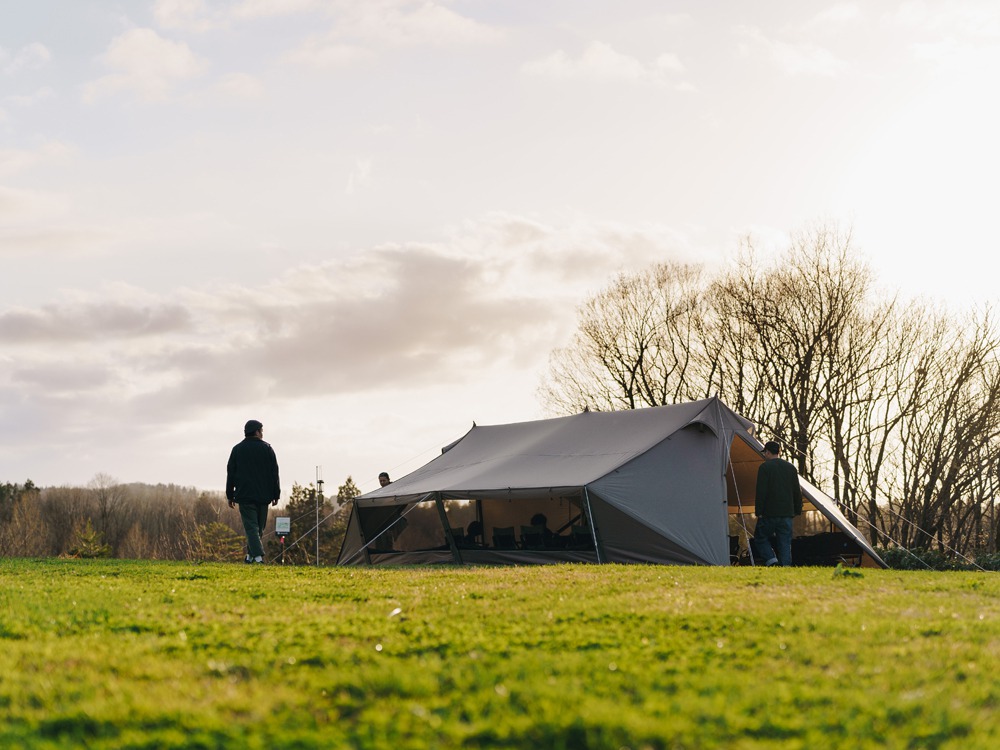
(778, 501)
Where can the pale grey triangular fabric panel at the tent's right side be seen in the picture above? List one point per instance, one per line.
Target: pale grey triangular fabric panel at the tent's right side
(678, 490)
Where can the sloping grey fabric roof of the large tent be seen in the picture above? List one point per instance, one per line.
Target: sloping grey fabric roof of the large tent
(560, 453)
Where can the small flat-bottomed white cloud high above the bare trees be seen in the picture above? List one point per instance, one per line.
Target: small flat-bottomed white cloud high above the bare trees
(602, 63)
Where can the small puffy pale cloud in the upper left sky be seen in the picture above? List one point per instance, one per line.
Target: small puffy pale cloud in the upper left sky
(146, 65)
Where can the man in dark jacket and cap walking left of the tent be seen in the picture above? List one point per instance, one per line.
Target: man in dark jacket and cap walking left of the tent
(252, 481)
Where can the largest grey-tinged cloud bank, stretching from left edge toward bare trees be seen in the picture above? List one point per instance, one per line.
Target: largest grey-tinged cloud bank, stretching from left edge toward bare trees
(496, 295)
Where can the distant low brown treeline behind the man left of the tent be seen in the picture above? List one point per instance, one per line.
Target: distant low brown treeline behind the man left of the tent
(157, 522)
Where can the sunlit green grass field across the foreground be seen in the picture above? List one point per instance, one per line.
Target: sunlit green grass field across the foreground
(121, 654)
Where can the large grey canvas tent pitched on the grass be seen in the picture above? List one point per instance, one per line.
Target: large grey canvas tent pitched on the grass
(669, 484)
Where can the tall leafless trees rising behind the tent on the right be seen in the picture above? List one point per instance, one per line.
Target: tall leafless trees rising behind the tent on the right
(888, 404)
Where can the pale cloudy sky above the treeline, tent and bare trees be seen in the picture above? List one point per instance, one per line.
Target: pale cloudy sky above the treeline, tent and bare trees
(368, 224)
